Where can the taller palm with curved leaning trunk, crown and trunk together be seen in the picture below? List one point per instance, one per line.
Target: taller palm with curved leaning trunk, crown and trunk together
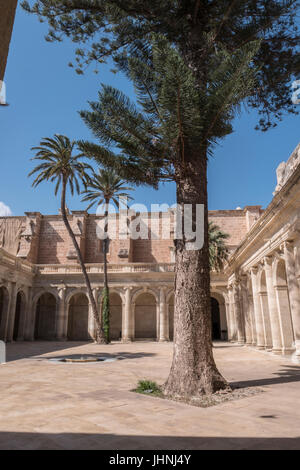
(57, 164)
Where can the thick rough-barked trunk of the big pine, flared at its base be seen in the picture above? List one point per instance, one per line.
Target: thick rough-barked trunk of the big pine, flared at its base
(193, 372)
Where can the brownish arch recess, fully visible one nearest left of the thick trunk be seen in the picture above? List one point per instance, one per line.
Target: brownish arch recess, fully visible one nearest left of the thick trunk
(145, 314)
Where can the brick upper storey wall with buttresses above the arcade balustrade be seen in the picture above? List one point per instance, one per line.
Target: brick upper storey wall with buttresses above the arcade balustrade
(44, 239)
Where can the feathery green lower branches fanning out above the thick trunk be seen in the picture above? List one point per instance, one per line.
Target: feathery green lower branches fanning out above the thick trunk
(147, 141)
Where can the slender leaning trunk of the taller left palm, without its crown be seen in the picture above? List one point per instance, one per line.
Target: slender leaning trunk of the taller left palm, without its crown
(100, 338)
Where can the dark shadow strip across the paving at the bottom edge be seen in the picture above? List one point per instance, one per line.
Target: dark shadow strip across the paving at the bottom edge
(80, 441)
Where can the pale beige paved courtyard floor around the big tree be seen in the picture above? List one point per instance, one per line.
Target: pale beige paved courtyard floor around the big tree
(45, 405)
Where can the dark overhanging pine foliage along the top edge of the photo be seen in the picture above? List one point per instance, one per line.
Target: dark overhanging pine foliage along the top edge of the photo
(198, 28)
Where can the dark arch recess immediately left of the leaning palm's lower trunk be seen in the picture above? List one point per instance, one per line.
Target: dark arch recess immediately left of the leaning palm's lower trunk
(78, 317)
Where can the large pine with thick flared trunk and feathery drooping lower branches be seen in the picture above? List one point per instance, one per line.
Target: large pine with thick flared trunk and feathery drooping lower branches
(168, 137)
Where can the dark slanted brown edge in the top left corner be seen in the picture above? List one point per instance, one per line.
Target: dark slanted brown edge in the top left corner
(7, 17)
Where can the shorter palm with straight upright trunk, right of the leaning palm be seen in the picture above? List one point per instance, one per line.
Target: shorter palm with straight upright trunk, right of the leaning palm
(102, 188)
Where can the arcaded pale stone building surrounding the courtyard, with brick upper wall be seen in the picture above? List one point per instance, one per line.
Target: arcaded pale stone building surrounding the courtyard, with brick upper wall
(255, 300)
